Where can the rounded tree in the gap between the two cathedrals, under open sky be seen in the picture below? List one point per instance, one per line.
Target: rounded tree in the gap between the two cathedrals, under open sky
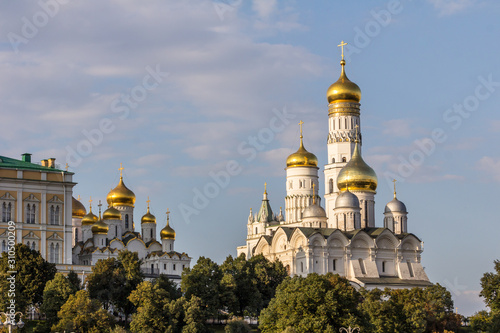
(204, 281)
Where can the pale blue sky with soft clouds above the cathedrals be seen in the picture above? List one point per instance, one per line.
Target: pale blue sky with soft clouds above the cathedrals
(200, 100)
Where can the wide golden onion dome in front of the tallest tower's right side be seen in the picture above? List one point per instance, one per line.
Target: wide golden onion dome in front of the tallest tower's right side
(356, 175)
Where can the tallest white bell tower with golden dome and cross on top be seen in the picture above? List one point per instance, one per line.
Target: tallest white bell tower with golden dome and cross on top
(343, 118)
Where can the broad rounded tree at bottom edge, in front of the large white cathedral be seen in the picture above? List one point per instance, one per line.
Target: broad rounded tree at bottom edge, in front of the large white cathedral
(316, 303)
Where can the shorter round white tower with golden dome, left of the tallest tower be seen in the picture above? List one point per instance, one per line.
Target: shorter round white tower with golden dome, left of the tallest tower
(301, 178)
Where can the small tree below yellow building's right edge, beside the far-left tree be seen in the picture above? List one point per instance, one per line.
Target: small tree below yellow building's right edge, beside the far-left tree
(55, 294)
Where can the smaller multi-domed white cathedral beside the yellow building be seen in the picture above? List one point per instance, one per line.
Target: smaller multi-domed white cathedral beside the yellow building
(101, 237)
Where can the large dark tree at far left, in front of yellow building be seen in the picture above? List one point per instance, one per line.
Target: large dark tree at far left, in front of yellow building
(33, 272)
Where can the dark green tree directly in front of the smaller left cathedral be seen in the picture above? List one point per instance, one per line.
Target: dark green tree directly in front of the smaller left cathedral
(112, 280)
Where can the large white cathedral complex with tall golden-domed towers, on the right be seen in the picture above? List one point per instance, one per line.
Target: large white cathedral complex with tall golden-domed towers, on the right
(343, 237)
